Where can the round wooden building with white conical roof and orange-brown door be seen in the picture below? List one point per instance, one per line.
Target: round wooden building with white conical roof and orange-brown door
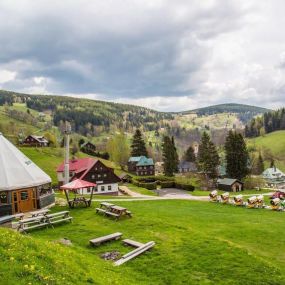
(24, 186)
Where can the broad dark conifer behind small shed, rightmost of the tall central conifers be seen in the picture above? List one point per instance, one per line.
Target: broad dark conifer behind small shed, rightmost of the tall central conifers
(237, 156)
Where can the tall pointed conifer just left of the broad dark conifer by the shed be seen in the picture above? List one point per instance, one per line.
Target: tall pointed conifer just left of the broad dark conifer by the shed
(208, 157)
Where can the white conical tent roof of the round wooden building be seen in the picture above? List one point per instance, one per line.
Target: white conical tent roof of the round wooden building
(16, 170)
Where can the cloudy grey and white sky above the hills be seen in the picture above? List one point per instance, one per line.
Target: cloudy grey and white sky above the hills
(163, 54)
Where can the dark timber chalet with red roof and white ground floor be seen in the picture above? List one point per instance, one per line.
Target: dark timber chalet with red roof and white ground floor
(94, 171)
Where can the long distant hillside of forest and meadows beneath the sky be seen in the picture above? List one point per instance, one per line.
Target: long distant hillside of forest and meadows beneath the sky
(23, 114)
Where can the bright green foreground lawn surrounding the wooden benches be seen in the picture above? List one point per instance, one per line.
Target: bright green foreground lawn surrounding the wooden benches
(196, 243)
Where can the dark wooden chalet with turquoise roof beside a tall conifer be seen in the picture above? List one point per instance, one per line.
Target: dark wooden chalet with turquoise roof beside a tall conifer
(141, 166)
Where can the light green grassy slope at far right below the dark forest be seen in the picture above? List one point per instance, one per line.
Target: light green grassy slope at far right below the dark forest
(275, 143)
